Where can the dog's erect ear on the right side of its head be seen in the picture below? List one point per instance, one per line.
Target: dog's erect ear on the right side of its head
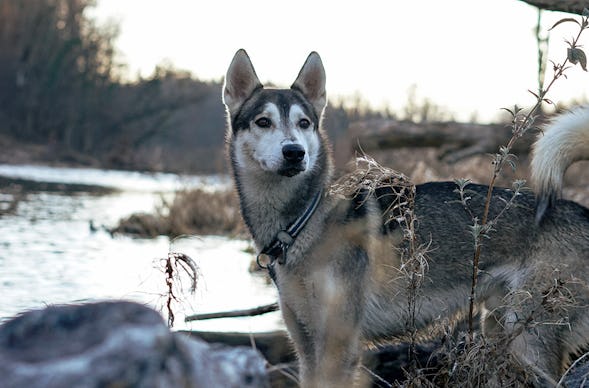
(311, 82)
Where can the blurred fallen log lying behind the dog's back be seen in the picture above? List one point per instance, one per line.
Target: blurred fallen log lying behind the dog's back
(456, 140)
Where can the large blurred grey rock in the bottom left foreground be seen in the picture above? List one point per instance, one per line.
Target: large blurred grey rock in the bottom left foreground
(122, 344)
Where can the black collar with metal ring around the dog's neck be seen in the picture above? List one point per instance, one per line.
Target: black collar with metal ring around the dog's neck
(277, 249)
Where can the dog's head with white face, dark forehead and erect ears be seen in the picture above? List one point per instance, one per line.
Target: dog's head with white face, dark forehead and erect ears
(275, 130)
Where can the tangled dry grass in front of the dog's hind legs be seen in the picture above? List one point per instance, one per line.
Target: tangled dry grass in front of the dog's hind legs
(484, 361)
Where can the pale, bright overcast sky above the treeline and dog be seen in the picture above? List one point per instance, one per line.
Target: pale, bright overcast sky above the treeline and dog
(471, 57)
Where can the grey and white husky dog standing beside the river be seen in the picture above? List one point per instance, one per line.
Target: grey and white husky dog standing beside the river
(336, 261)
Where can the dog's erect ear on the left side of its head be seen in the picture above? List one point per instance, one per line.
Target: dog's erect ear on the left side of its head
(240, 82)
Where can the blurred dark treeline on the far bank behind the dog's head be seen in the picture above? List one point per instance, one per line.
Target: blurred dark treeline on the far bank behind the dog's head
(61, 85)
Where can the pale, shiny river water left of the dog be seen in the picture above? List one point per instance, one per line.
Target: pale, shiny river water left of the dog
(54, 251)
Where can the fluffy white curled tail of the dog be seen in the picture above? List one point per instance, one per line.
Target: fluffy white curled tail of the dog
(565, 140)
